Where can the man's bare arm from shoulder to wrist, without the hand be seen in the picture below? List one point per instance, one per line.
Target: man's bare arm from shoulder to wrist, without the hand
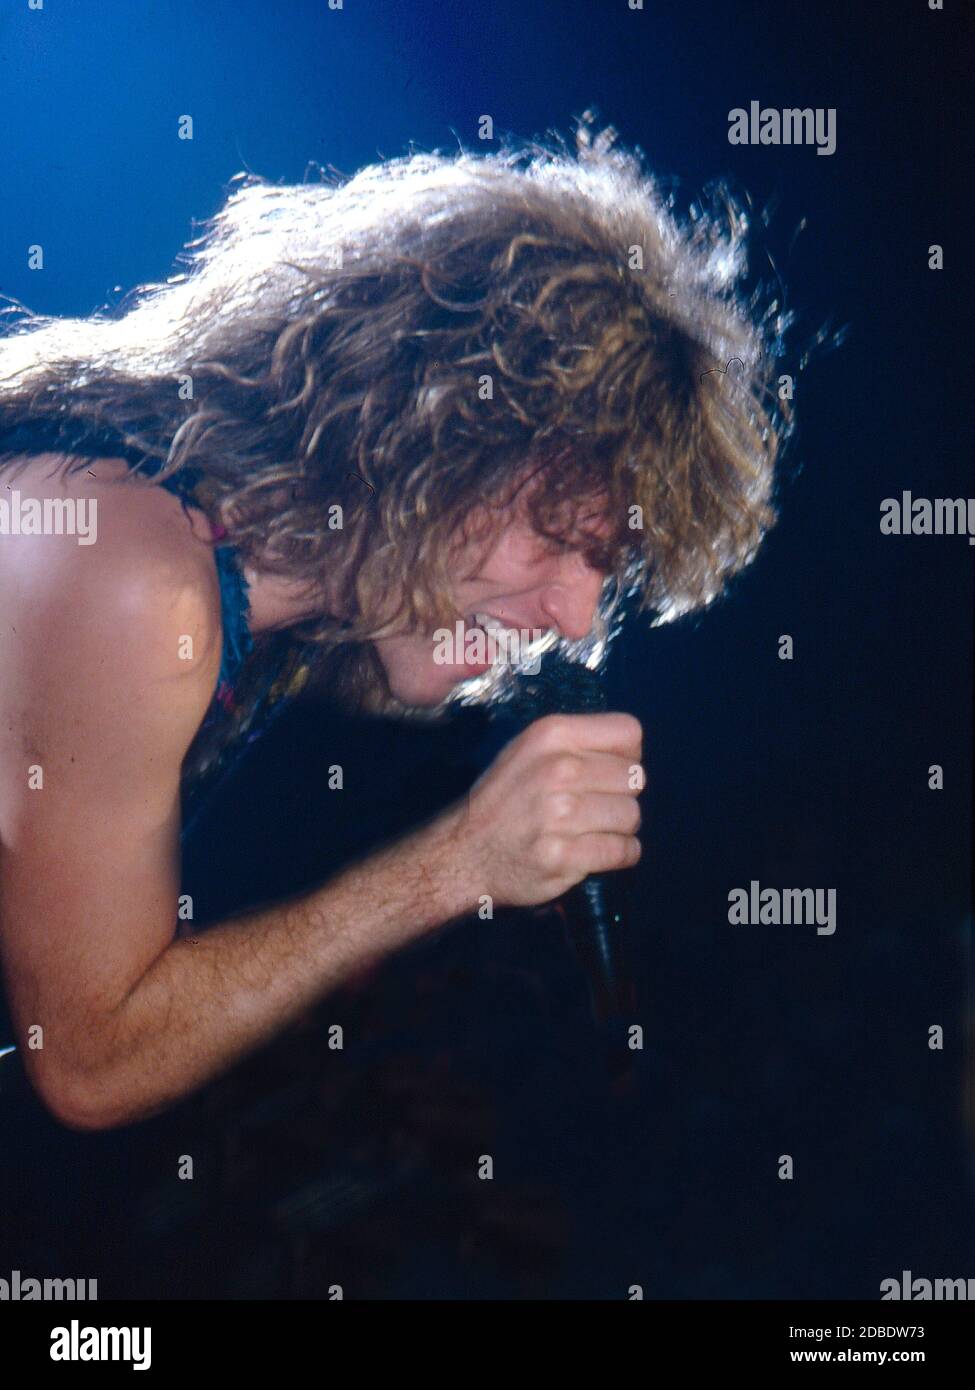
(98, 712)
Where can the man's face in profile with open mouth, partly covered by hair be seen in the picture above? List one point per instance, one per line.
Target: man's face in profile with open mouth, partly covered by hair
(522, 582)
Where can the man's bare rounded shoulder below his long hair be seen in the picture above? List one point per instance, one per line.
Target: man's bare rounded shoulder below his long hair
(126, 616)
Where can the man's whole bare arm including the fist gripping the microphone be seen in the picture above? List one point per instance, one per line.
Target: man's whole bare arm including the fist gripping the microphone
(98, 710)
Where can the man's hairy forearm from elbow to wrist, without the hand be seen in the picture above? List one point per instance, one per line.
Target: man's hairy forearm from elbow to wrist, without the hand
(212, 999)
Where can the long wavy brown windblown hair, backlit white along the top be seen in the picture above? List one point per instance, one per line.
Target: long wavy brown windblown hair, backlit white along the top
(405, 343)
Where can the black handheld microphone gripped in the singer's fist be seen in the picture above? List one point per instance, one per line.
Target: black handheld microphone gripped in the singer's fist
(593, 911)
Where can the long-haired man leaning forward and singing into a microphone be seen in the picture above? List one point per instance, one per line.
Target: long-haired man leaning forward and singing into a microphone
(449, 390)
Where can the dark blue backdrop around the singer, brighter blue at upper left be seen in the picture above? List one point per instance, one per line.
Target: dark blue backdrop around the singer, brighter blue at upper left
(760, 1040)
